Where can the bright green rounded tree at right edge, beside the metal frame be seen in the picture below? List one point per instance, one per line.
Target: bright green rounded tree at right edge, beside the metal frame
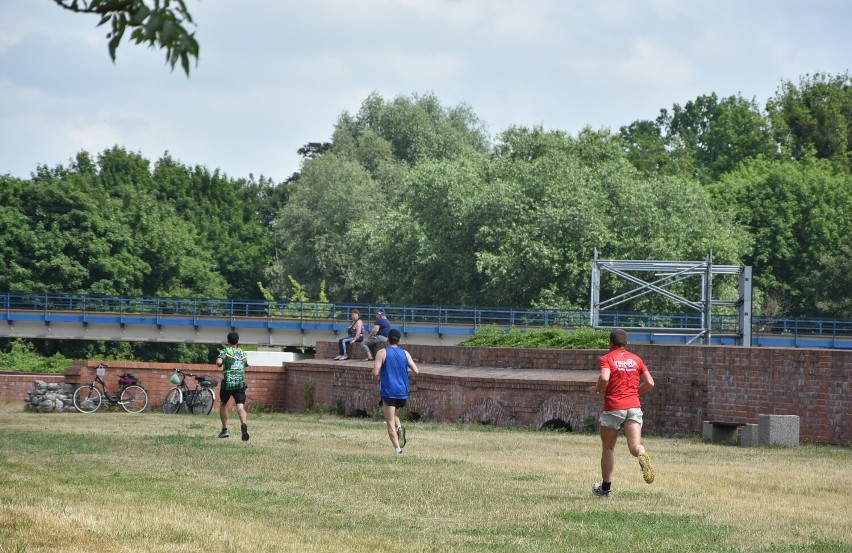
(799, 214)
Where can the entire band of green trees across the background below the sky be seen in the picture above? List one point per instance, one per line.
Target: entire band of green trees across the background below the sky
(410, 204)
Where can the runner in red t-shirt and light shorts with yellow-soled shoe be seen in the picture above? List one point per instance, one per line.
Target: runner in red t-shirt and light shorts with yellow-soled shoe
(624, 377)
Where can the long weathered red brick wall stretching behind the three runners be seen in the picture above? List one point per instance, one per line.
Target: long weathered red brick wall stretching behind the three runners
(694, 383)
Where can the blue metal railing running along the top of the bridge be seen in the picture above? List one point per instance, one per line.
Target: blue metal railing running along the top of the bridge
(15, 306)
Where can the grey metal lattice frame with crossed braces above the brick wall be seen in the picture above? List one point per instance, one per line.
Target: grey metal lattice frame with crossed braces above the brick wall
(667, 273)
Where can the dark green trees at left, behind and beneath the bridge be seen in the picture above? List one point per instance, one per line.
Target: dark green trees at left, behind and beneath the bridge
(114, 227)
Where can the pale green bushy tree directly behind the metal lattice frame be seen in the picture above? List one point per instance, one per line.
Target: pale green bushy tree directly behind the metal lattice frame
(580, 193)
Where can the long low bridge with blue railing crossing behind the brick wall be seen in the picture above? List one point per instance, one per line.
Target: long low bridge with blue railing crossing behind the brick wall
(294, 324)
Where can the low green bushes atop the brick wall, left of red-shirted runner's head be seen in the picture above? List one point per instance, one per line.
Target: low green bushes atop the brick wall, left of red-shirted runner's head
(553, 338)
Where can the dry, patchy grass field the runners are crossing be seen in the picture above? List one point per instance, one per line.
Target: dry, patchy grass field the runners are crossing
(308, 483)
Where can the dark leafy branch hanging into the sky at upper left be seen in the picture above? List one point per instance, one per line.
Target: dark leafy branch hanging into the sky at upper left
(159, 25)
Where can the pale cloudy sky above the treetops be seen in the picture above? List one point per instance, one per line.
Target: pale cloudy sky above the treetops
(274, 75)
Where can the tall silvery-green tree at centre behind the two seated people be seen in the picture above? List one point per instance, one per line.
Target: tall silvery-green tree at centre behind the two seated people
(346, 206)
